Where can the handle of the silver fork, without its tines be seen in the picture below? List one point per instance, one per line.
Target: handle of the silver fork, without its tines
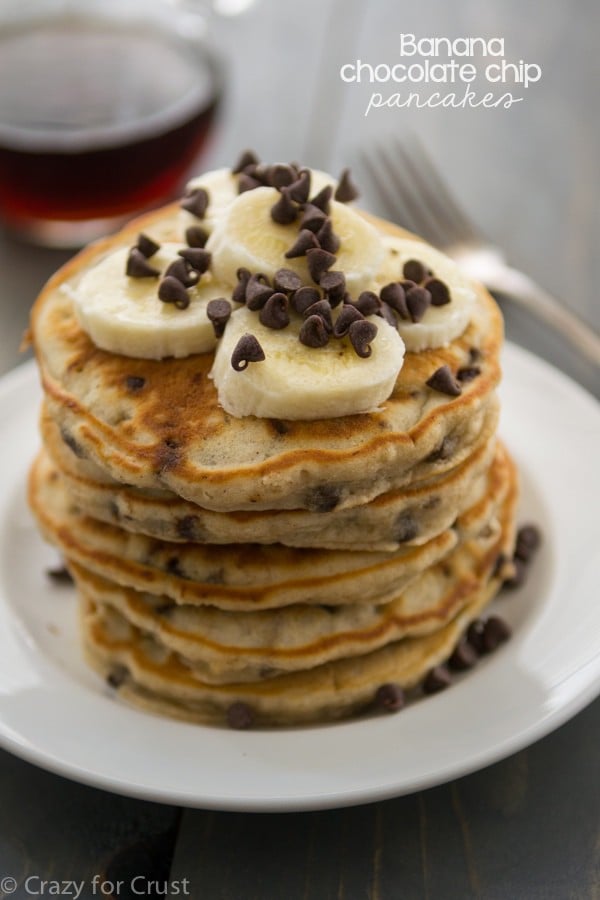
(524, 291)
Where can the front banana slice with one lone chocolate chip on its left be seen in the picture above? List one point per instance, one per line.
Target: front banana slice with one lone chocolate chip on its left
(299, 382)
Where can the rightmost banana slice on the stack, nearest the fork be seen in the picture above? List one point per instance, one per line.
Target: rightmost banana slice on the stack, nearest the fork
(441, 324)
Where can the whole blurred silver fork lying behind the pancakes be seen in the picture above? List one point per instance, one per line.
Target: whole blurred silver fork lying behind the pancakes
(416, 197)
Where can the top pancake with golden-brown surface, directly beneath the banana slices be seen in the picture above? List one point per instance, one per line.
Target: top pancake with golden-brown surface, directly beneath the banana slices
(172, 433)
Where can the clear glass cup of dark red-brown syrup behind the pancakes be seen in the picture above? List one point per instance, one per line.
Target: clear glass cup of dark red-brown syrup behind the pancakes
(100, 118)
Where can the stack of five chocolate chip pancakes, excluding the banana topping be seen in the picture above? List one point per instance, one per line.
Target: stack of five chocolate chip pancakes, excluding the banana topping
(260, 570)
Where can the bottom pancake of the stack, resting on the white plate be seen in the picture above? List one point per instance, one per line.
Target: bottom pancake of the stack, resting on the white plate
(154, 676)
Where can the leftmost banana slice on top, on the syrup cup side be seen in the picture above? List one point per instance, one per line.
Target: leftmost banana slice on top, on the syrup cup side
(124, 315)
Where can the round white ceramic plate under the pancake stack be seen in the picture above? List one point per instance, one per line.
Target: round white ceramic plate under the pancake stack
(56, 713)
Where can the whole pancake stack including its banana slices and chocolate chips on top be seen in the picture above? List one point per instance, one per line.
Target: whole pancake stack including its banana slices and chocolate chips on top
(270, 456)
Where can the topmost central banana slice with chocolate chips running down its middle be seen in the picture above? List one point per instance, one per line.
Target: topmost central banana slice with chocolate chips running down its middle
(247, 236)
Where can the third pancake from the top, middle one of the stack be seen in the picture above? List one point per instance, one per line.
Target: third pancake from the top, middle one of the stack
(247, 576)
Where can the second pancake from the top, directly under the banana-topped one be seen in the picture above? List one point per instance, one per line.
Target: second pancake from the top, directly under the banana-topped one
(416, 513)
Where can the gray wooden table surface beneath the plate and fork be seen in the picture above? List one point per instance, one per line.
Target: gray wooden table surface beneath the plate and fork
(529, 826)
